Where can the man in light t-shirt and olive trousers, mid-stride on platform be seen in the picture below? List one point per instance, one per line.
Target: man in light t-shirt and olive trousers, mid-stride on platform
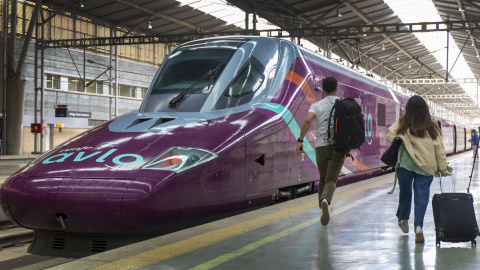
(329, 160)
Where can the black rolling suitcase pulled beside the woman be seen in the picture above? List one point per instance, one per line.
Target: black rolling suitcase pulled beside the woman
(454, 217)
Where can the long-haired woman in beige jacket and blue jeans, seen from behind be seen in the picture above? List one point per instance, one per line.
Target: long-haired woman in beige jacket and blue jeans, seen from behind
(421, 156)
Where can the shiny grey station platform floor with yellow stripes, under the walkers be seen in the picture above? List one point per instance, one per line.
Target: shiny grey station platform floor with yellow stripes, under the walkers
(362, 234)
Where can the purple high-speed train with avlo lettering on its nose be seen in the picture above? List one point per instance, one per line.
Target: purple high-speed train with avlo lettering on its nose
(216, 134)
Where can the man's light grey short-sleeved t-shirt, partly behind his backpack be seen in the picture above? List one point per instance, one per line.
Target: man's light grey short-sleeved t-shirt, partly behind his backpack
(322, 110)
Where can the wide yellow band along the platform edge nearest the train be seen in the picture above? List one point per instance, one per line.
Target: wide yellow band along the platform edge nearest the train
(176, 249)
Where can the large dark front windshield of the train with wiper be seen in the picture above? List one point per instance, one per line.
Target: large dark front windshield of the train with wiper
(187, 79)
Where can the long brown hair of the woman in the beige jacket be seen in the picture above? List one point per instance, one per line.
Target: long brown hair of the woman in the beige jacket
(417, 119)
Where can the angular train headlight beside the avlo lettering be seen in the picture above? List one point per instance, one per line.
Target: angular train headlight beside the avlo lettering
(180, 159)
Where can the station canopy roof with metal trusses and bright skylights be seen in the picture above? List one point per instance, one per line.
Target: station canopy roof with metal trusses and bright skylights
(390, 44)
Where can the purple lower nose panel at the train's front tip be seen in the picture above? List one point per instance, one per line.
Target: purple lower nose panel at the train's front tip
(73, 205)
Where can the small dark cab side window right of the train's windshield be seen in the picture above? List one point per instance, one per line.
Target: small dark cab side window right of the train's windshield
(247, 82)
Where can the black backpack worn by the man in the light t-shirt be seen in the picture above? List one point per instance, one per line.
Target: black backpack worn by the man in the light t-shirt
(349, 128)
